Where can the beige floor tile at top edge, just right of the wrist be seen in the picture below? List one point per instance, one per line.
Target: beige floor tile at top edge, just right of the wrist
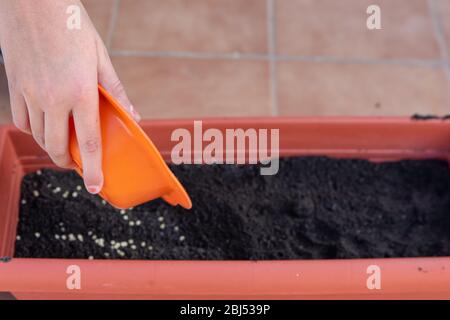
(192, 25)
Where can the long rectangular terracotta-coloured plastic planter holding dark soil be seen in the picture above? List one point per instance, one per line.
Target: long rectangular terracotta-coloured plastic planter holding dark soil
(377, 139)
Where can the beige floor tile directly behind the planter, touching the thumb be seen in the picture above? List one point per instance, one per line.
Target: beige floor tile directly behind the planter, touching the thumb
(162, 88)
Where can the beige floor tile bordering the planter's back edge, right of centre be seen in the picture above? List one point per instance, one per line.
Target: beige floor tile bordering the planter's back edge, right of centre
(360, 90)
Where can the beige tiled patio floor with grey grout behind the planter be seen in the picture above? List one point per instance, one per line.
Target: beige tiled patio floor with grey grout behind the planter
(196, 58)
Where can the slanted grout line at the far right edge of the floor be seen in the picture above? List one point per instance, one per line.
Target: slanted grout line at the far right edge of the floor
(442, 43)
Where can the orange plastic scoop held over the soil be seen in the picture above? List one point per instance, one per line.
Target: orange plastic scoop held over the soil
(133, 169)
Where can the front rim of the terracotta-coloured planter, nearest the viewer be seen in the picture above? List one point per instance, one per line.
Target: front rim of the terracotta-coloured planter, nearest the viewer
(267, 279)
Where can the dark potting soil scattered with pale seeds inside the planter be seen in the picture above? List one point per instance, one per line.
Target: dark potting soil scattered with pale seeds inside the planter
(314, 208)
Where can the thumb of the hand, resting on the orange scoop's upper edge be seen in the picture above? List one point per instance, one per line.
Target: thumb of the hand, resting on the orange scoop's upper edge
(108, 78)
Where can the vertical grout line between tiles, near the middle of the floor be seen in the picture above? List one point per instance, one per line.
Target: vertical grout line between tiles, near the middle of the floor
(271, 46)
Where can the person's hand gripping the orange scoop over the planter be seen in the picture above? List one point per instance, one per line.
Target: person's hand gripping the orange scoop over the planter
(53, 72)
